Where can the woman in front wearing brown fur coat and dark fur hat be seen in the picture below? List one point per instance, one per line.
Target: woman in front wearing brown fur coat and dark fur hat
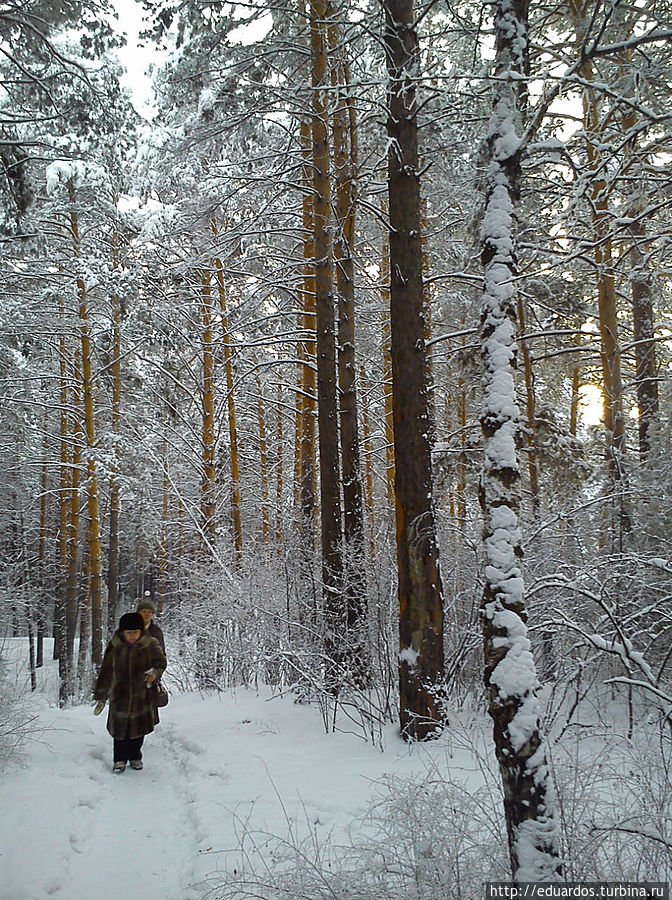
(133, 661)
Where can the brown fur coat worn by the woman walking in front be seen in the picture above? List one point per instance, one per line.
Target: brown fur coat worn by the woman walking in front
(122, 680)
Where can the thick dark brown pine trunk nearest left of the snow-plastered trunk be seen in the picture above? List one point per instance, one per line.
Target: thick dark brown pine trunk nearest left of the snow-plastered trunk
(421, 667)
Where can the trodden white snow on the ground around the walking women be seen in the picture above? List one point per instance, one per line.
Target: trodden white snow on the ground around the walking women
(216, 768)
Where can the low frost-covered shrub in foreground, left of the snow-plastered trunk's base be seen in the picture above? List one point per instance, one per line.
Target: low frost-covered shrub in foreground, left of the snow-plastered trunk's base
(421, 838)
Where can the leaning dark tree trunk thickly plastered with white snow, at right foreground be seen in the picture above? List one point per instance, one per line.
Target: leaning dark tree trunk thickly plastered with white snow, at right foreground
(510, 674)
